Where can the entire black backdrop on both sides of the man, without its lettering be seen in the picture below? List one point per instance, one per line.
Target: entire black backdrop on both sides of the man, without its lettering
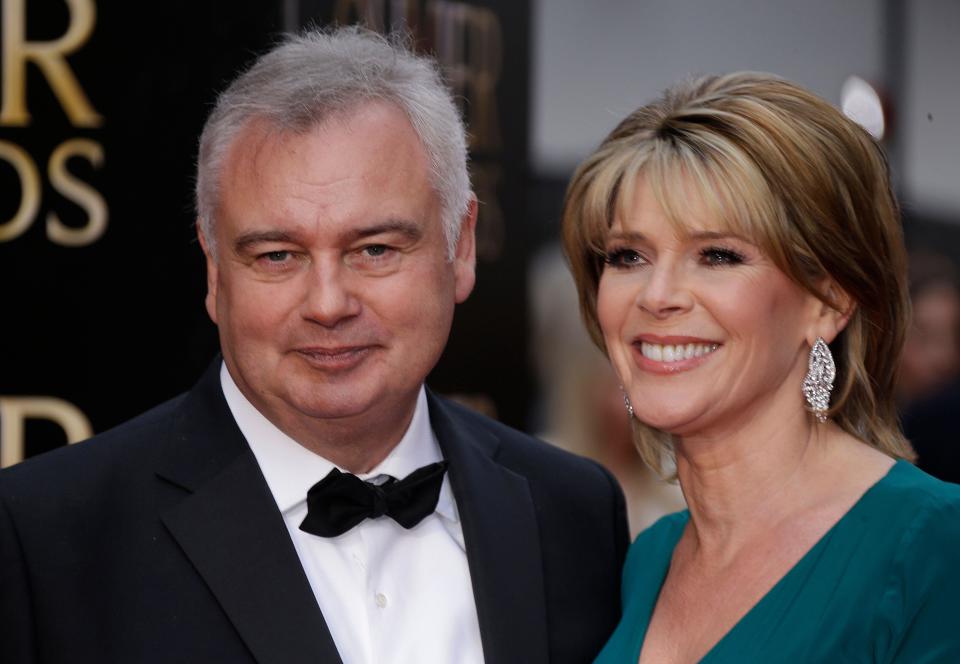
(118, 325)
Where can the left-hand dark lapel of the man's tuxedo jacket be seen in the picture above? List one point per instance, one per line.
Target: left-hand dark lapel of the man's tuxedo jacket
(231, 530)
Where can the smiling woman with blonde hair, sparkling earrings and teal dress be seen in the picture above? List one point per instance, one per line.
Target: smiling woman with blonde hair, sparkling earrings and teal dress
(739, 258)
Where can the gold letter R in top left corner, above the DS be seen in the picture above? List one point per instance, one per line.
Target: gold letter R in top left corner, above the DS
(50, 57)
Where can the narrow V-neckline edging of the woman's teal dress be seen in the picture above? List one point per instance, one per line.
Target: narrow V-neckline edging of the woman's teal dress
(676, 528)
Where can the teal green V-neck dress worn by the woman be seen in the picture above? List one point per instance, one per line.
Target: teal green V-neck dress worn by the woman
(882, 585)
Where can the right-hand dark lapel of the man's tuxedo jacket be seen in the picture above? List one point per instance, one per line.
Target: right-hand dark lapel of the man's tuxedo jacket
(502, 540)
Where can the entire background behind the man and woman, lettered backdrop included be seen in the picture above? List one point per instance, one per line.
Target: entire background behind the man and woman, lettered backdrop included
(101, 314)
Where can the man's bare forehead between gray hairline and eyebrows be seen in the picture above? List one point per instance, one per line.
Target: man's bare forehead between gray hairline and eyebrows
(343, 179)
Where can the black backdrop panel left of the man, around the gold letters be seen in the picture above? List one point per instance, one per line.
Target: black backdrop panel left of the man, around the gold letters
(118, 325)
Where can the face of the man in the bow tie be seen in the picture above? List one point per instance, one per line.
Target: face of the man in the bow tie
(331, 285)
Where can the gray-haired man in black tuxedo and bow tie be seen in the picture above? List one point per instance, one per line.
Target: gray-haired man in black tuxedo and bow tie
(309, 500)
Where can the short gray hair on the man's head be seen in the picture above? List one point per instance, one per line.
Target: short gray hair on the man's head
(318, 73)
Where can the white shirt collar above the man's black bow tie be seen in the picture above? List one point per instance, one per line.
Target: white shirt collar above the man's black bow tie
(290, 469)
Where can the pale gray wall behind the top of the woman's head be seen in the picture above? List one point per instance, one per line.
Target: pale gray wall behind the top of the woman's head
(593, 62)
